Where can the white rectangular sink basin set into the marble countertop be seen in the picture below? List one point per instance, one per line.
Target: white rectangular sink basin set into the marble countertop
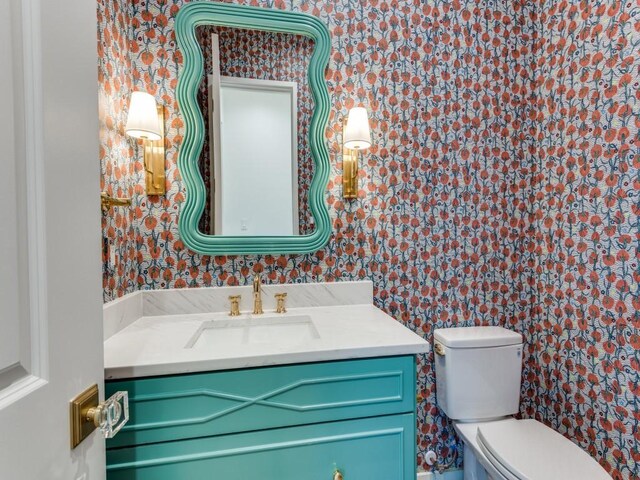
(254, 330)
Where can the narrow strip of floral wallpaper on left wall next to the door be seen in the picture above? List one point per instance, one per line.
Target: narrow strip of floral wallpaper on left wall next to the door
(120, 175)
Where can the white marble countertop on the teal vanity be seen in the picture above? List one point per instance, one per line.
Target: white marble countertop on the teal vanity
(156, 345)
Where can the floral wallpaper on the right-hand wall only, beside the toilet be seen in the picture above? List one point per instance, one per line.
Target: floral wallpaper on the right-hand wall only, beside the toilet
(582, 374)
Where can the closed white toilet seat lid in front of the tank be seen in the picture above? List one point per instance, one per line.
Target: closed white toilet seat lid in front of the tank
(529, 450)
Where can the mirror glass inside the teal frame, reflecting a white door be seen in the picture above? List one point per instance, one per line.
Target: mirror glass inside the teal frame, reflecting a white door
(256, 105)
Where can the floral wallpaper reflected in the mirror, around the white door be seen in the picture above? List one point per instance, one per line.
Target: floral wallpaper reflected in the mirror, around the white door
(265, 56)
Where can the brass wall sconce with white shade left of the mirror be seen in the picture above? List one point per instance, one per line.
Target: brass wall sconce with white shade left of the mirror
(146, 122)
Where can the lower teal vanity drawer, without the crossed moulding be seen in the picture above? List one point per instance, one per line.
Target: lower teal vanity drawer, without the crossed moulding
(380, 448)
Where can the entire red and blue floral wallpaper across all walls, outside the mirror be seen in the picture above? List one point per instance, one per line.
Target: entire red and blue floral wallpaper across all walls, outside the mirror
(502, 189)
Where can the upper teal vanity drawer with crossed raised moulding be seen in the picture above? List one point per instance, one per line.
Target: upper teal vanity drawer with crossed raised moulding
(205, 404)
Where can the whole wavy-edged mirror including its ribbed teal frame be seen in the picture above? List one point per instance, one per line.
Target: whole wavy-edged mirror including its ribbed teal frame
(254, 158)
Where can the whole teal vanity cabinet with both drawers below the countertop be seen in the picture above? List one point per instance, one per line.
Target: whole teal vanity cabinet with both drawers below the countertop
(289, 422)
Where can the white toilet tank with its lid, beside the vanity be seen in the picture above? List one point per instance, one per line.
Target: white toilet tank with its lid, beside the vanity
(478, 372)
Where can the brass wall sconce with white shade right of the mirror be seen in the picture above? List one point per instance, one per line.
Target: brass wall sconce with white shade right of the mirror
(356, 137)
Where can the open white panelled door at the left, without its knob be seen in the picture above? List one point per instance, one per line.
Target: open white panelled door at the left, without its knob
(52, 118)
